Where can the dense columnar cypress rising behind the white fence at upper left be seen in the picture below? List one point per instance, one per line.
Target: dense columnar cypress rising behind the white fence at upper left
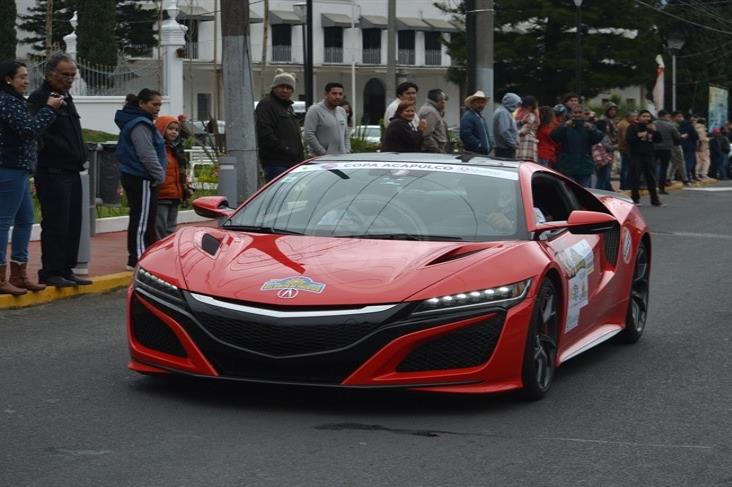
(97, 21)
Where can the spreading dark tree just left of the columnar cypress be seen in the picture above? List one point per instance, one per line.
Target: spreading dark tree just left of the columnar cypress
(35, 24)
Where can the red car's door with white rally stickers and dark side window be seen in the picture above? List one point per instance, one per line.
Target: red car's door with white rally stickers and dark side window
(578, 255)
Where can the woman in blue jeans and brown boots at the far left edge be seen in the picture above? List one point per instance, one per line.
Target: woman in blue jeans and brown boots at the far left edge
(19, 132)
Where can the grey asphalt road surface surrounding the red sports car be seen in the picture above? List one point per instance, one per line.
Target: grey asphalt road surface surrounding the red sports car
(655, 413)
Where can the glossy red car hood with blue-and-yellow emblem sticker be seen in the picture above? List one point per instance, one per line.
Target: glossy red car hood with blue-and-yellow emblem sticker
(318, 271)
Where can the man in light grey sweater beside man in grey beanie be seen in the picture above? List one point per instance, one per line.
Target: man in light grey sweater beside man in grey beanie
(326, 129)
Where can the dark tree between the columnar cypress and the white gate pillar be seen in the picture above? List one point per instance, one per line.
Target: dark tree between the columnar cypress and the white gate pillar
(135, 28)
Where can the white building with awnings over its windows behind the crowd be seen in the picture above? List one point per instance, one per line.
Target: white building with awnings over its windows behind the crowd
(421, 55)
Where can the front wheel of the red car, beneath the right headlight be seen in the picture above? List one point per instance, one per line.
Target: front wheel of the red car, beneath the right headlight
(541, 344)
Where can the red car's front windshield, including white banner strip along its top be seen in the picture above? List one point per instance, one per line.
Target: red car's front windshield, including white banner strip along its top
(389, 200)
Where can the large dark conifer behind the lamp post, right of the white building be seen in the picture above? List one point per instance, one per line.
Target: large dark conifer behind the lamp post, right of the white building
(535, 47)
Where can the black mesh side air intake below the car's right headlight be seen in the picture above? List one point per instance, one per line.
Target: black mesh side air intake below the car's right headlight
(467, 347)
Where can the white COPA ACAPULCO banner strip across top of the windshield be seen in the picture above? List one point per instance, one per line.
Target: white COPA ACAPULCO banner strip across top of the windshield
(410, 166)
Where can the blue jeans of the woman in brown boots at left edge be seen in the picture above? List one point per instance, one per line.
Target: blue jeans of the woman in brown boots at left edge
(16, 209)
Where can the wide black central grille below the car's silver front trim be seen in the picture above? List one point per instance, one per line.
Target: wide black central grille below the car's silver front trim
(281, 340)
